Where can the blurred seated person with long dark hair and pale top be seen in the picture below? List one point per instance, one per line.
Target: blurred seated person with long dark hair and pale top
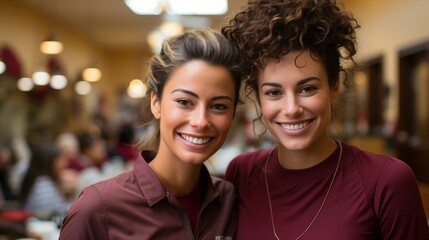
(41, 191)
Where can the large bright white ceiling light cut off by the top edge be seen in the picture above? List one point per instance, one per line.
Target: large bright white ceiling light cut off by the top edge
(179, 7)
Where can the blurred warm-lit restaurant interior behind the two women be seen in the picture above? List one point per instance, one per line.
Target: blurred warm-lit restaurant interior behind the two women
(88, 83)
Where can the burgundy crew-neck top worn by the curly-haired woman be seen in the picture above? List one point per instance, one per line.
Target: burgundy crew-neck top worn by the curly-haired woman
(372, 197)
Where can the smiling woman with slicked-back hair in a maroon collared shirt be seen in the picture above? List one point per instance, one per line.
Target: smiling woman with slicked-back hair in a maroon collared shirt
(194, 88)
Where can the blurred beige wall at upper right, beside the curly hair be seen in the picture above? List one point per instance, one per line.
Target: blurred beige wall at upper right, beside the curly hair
(388, 26)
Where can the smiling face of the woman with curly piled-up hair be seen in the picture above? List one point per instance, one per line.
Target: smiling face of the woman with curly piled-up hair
(296, 101)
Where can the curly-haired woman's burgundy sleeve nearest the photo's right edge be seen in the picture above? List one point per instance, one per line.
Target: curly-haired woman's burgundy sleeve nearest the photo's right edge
(398, 204)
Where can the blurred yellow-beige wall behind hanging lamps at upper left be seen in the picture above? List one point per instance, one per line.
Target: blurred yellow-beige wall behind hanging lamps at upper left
(22, 29)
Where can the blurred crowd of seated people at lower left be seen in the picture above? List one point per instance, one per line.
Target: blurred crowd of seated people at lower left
(46, 183)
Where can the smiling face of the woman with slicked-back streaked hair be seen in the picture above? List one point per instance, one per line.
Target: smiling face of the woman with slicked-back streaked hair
(195, 111)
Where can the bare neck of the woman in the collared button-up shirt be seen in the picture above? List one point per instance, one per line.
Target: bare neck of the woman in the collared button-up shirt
(179, 178)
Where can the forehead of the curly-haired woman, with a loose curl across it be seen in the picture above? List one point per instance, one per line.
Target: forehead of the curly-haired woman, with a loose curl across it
(293, 66)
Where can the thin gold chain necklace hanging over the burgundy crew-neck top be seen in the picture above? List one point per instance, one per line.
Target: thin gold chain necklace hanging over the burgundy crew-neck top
(321, 206)
